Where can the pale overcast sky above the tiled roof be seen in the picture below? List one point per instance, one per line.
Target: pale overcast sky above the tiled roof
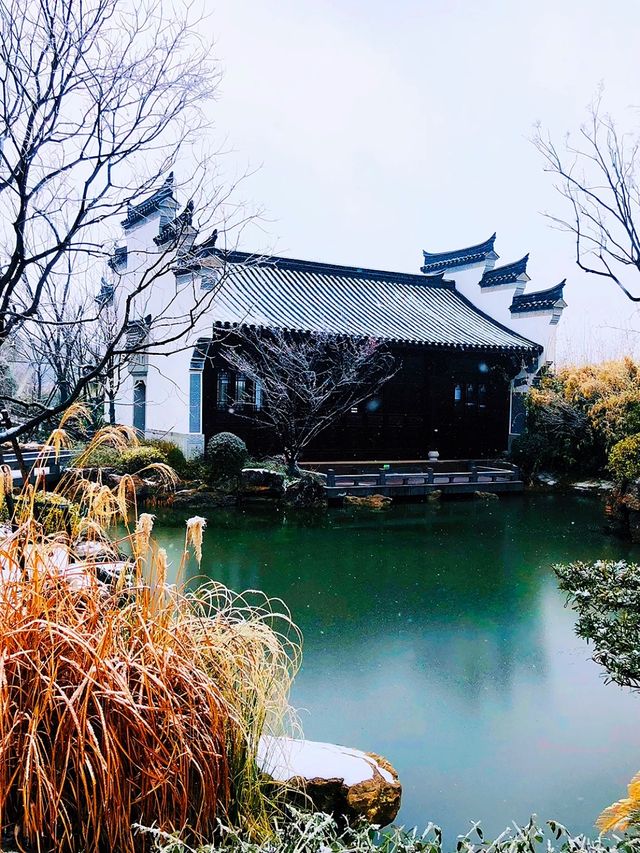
(381, 129)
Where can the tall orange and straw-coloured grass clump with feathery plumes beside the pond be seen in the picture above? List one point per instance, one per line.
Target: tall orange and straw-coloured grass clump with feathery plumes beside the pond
(133, 702)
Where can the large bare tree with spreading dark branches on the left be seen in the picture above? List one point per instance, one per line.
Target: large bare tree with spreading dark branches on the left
(99, 99)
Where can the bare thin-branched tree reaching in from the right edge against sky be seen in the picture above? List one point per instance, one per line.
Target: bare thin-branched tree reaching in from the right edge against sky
(598, 175)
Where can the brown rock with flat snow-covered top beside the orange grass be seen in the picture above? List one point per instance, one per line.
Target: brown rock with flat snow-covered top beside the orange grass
(341, 781)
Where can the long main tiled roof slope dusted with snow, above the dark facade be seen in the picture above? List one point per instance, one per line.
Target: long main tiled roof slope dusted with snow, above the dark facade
(306, 296)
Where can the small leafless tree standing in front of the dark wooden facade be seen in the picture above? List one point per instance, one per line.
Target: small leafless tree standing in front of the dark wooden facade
(307, 382)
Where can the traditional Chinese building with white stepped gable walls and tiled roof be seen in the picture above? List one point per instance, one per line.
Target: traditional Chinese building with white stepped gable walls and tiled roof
(469, 335)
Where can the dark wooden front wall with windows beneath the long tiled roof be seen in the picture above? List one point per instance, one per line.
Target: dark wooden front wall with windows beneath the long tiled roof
(446, 400)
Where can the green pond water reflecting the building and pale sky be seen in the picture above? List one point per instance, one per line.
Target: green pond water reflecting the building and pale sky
(436, 636)
